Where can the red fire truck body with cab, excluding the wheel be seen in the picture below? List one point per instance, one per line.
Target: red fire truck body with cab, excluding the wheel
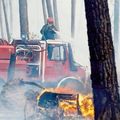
(48, 61)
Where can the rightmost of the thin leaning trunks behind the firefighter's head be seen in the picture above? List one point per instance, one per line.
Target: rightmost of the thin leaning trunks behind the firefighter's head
(55, 14)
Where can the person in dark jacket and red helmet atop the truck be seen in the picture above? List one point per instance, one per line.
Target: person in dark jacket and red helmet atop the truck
(48, 31)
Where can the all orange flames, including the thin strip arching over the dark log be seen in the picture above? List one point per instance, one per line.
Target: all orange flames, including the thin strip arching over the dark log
(82, 104)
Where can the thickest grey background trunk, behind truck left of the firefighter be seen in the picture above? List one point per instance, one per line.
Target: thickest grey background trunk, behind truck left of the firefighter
(23, 19)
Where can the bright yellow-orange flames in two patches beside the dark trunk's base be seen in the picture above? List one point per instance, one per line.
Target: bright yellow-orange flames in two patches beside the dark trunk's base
(70, 107)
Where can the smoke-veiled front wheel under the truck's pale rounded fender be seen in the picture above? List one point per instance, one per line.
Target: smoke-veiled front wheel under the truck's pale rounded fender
(72, 83)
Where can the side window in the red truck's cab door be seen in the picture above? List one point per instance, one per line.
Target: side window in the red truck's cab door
(56, 52)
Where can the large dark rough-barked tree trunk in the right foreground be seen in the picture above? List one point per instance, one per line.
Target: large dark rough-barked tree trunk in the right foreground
(103, 69)
